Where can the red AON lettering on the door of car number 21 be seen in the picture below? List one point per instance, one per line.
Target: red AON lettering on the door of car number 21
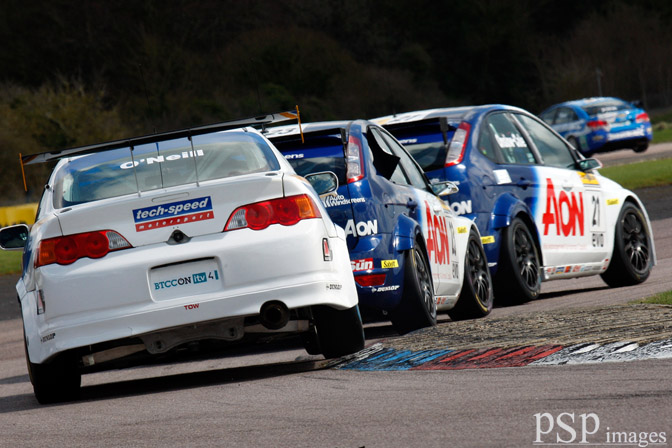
(563, 211)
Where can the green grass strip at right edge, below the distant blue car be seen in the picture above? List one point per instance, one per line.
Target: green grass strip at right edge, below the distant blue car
(642, 174)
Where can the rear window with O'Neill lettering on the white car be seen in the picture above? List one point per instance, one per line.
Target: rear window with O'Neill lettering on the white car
(160, 165)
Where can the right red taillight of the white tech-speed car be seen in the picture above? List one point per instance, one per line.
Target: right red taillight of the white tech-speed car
(286, 211)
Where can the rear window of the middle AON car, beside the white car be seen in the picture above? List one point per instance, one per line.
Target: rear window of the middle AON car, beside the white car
(324, 153)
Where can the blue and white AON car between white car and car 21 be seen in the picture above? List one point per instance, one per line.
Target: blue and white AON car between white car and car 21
(411, 254)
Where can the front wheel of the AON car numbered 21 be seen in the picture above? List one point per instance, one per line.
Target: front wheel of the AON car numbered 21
(631, 260)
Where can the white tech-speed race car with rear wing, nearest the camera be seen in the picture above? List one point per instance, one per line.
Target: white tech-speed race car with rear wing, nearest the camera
(145, 244)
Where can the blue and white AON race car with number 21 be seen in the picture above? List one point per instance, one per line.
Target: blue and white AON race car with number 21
(543, 211)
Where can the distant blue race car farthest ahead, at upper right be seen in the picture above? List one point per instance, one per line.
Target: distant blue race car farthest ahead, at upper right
(600, 124)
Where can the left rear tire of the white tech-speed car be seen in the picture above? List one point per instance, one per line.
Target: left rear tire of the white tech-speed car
(55, 381)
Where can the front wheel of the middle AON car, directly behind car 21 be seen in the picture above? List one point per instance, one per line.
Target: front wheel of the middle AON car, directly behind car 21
(477, 296)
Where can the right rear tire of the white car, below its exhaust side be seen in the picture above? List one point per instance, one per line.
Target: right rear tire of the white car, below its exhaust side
(339, 332)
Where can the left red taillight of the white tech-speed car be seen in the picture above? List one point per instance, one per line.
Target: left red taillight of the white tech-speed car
(70, 248)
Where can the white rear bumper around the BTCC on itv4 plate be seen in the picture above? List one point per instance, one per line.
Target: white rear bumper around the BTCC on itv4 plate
(95, 301)
